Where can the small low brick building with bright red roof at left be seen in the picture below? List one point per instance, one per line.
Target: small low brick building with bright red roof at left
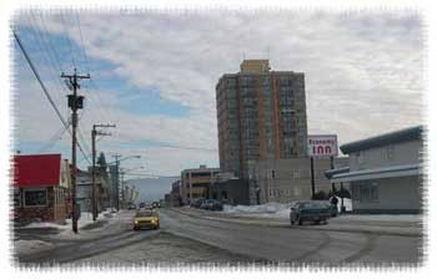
(41, 188)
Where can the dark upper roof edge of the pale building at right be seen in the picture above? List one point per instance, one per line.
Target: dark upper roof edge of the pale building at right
(409, 134)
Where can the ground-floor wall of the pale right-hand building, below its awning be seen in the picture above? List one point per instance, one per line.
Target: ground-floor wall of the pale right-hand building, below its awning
(394, 195)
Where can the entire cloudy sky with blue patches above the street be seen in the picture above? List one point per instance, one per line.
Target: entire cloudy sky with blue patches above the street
(154, 75)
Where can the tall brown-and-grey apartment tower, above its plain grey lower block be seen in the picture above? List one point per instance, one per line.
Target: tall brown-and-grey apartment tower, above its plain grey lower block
(261, 114)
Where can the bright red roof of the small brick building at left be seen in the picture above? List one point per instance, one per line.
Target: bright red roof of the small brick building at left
(37, 170)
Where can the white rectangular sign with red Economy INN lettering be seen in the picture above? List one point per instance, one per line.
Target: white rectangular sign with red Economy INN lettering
(322, 145)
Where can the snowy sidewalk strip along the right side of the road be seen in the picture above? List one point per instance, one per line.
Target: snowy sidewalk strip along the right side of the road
(400, 225)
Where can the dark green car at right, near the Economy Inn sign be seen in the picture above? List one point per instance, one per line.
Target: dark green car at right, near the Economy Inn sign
(314, 211)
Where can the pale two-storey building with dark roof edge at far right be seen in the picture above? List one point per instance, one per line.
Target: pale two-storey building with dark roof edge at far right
(385, 172)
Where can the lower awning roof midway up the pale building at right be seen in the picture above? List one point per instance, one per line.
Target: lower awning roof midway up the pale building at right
(378, 173)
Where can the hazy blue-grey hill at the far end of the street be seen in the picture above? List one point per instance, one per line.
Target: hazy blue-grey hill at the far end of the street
(151, 189)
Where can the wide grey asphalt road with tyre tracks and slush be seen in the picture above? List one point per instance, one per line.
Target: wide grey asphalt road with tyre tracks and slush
(186, 239)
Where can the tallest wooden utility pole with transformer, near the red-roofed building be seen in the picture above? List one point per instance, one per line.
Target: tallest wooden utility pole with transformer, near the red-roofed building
(75, 102)
